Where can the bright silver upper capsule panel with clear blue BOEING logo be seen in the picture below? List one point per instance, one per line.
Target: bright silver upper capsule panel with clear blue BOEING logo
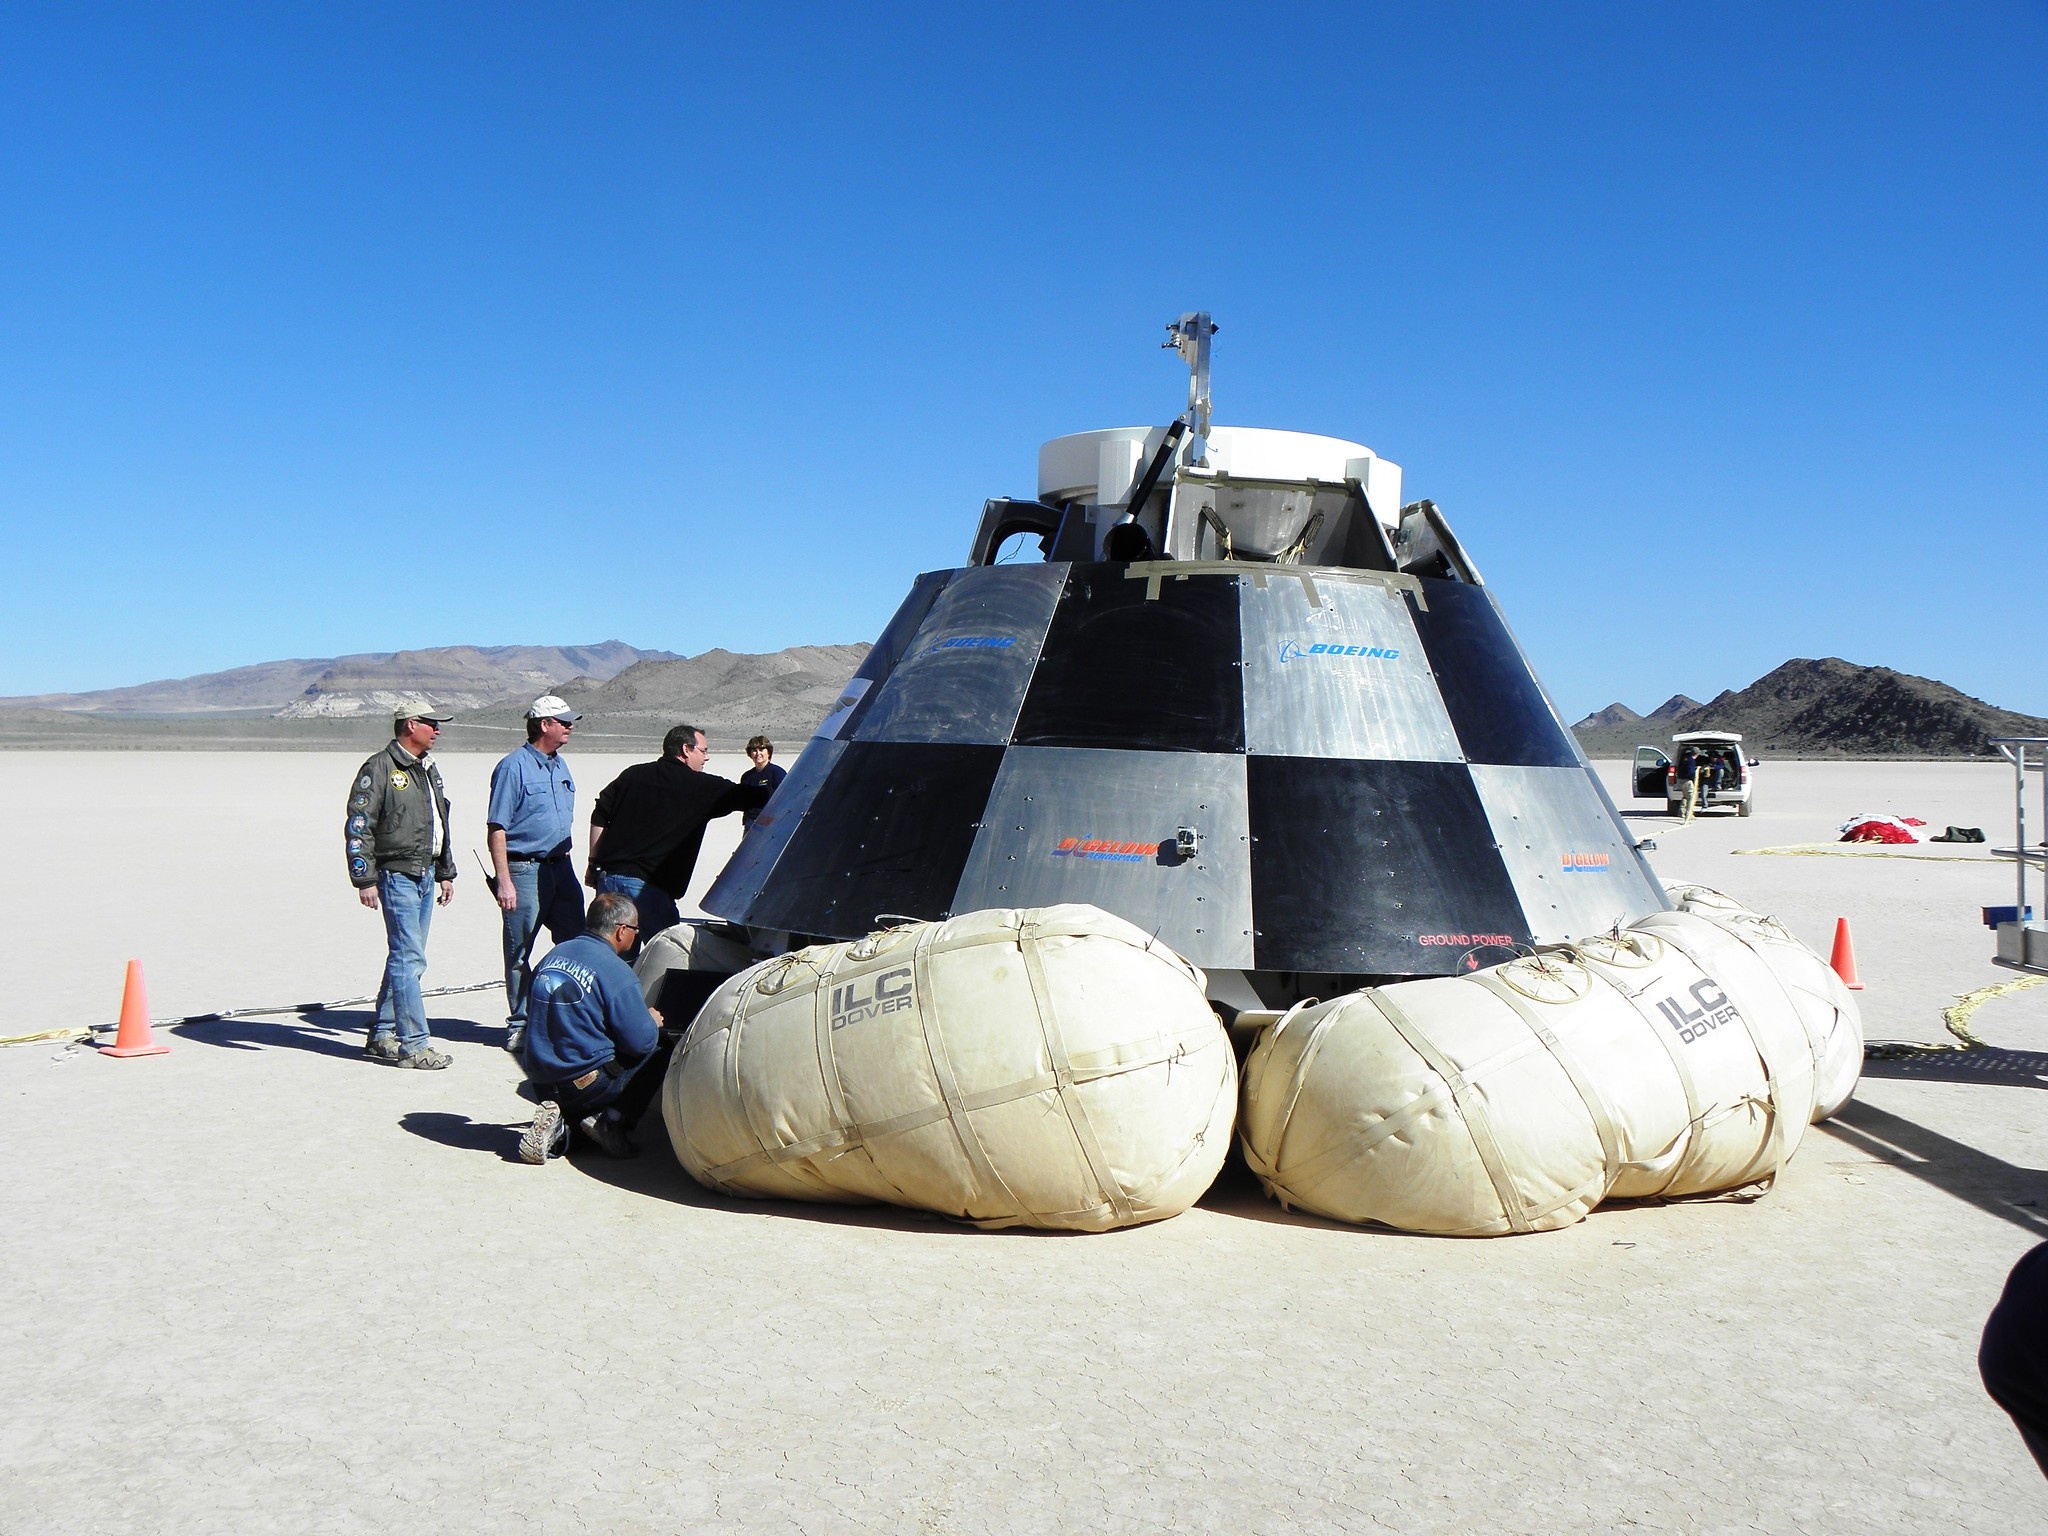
(1334, 669)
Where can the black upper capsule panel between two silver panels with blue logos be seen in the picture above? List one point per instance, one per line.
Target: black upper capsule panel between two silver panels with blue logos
(1125, 671)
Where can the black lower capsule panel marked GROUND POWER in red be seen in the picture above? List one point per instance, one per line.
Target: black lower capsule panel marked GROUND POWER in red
(1375, 867)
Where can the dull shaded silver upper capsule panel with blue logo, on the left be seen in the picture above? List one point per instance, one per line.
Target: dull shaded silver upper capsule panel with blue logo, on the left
(964, 675)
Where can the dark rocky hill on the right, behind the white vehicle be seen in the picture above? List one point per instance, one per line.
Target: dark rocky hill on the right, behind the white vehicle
(1826, 710)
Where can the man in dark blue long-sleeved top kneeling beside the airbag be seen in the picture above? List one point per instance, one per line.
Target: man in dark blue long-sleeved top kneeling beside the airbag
(593, 1048)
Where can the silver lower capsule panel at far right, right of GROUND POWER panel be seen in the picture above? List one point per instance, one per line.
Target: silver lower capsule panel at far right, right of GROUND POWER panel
(1574, 865)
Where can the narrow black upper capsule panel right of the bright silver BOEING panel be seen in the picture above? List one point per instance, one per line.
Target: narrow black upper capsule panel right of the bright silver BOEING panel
(1494, 699)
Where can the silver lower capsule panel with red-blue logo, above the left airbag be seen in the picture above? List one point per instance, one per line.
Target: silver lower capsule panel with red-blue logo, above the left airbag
(1072, 824)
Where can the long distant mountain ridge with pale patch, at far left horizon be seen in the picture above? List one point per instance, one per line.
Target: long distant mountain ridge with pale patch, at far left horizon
(345, 687)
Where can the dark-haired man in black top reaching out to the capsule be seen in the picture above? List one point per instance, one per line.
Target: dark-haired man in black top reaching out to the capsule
(650, 824)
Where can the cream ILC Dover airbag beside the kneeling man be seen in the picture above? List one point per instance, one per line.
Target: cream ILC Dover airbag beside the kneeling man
(1052, 1068)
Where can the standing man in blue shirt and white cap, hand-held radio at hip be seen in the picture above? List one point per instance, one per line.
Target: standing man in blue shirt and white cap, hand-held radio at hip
(534, 808)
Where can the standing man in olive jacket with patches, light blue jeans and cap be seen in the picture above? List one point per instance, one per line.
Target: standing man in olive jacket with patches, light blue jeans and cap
(402, 863)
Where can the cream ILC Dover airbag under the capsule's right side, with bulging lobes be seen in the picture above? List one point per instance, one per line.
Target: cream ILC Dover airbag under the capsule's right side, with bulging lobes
(1682, 1056)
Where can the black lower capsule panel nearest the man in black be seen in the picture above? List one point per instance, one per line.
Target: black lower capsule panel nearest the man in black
(888, 833)
